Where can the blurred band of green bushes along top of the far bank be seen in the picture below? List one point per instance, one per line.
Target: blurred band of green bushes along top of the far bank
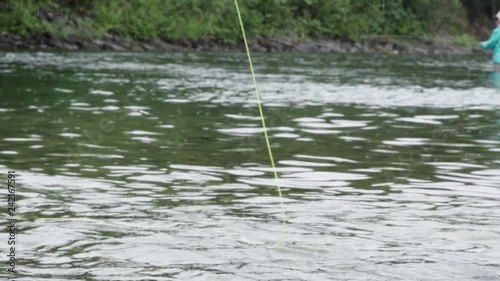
(291, 19)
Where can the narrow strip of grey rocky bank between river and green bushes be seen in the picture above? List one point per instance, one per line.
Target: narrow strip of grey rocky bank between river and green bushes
(108, 42)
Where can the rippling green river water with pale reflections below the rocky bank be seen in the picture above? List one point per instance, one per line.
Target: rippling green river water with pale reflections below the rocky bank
(152, 166)
